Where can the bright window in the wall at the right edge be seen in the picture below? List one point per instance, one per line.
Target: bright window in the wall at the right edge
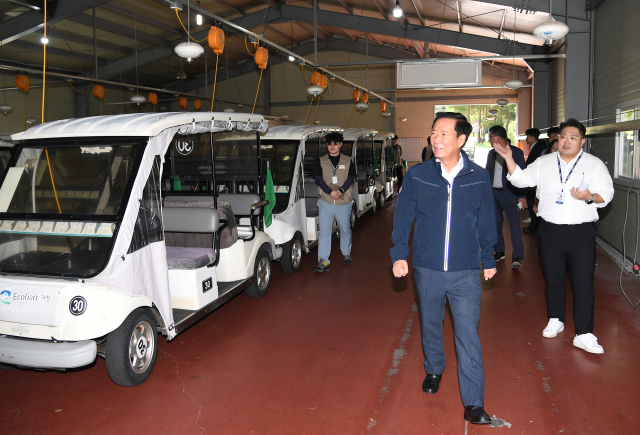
(627, 156)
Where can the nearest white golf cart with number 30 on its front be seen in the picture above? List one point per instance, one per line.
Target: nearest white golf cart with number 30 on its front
(91, 260)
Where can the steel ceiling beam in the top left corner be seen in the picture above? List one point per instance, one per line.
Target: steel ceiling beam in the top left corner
(33, 21)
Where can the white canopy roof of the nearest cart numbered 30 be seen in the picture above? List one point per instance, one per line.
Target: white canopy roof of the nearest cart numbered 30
(140, 124)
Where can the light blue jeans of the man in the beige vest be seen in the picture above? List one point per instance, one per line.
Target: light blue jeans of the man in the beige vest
(342, 215)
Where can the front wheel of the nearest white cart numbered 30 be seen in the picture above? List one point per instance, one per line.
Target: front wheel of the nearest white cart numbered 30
(132, 349)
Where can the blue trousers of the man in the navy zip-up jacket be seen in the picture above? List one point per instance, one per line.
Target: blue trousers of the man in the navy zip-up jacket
(463, 289)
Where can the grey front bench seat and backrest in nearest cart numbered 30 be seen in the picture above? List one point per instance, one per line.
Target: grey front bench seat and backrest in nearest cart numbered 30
(190, 220)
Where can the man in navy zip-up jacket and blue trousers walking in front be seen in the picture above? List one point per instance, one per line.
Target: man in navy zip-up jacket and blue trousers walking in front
(450, 199)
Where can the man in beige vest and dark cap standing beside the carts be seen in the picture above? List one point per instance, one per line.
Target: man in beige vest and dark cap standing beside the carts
(334, 174)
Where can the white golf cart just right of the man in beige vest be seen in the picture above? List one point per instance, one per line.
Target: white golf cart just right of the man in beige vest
(360, 141)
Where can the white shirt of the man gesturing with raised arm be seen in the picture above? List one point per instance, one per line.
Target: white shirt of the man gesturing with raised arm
(544, 174)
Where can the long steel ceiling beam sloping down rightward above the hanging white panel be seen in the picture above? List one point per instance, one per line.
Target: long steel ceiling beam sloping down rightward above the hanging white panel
(414, 32)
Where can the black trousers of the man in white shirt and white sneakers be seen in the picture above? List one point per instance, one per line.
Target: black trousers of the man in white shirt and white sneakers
(572, 246)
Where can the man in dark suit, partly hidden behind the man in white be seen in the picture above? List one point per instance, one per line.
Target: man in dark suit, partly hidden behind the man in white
(506, 196)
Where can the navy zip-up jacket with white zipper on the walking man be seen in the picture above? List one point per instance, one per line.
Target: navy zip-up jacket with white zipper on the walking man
(472, 232)
